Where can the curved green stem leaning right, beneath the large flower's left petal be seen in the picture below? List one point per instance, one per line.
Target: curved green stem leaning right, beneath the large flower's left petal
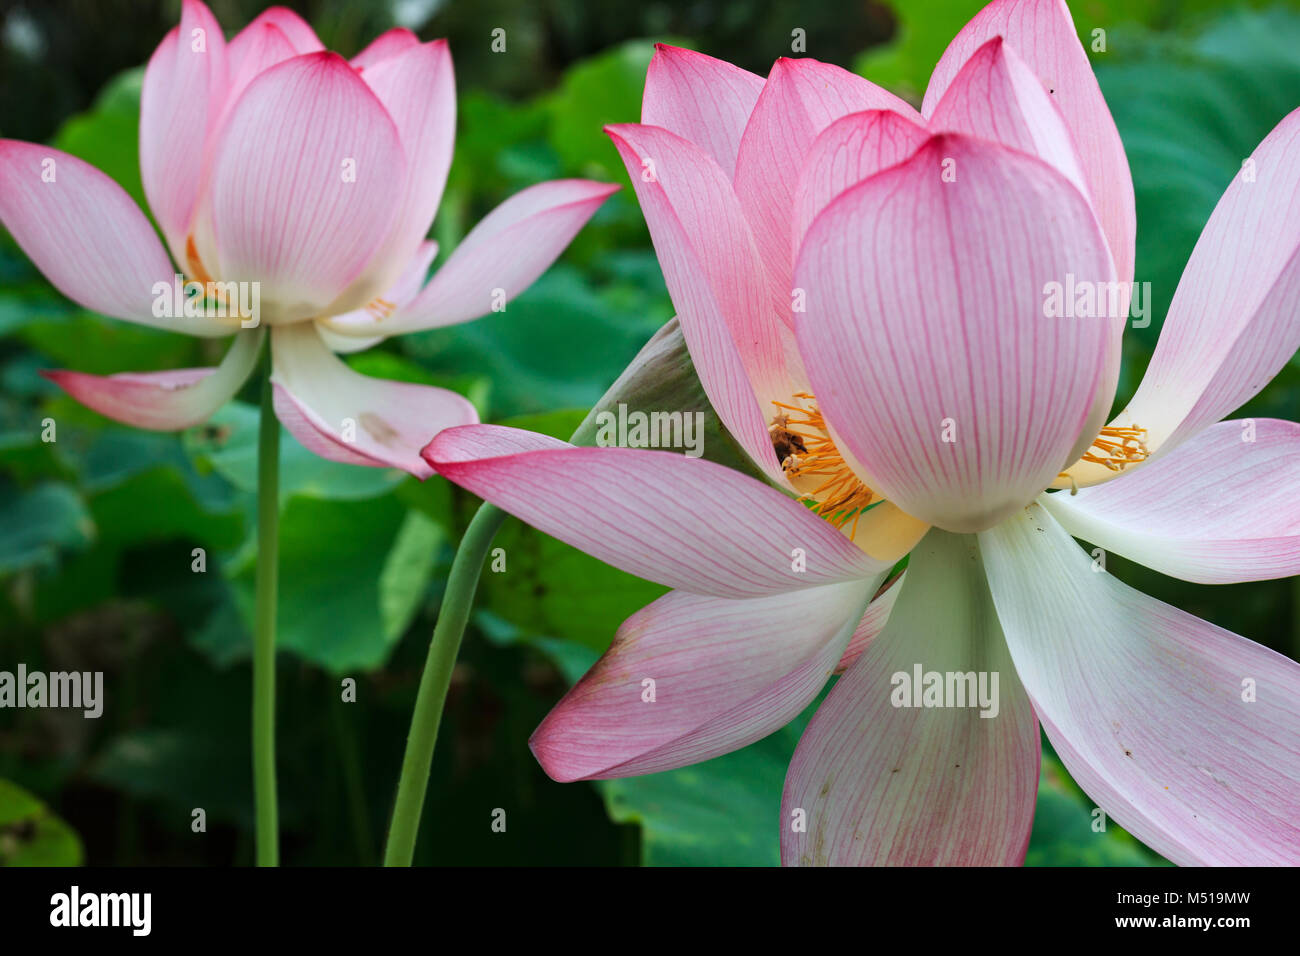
(444, 648)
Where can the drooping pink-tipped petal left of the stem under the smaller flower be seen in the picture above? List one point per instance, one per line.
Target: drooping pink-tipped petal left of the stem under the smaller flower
(166, 401)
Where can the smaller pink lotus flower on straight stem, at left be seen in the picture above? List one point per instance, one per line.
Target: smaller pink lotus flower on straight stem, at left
(268, 161)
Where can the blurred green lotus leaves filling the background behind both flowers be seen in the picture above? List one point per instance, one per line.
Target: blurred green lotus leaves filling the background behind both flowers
(101, 527)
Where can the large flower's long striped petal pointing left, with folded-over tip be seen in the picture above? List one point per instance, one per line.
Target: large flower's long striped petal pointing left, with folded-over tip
(682, 522)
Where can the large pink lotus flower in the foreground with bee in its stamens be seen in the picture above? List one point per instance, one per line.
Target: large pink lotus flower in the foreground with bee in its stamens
(922, 403)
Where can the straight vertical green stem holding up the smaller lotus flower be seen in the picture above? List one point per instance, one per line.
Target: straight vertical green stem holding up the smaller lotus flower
(265, 634)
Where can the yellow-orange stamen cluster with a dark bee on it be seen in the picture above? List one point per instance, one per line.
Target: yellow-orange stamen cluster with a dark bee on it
(805, 448)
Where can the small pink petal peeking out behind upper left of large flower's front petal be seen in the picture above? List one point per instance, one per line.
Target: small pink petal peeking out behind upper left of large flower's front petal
(846, 154)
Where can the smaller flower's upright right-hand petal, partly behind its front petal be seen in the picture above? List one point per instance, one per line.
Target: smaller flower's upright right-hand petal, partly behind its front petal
(419, 90)
